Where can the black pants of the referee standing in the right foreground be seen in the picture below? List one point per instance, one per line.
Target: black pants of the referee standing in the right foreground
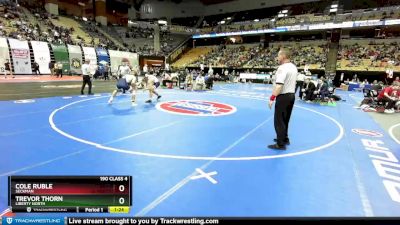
(283, 110)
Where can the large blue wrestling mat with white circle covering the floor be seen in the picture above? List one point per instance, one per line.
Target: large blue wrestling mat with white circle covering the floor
(205, 153)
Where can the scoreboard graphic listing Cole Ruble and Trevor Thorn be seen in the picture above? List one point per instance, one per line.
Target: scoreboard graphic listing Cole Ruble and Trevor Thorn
(79, 194)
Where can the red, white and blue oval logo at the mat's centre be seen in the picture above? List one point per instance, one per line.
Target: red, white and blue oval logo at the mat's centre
(196, 108)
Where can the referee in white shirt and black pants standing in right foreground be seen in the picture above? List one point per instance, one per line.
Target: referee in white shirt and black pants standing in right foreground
(284, 95)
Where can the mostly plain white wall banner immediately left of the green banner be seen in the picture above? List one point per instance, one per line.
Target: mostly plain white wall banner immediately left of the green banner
(41, 54)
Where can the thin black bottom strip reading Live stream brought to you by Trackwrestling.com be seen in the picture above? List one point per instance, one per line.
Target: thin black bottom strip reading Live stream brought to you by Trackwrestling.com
(34, 220)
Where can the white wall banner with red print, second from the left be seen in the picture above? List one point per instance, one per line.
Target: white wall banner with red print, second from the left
(21, 56)
